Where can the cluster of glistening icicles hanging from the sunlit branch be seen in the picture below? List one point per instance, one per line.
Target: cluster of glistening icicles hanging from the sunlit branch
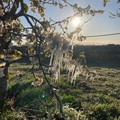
(61, 50)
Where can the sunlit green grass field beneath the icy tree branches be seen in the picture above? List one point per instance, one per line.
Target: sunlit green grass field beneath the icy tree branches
(96, 100)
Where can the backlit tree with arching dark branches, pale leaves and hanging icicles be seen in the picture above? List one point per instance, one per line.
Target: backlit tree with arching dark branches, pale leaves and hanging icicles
(41, 33)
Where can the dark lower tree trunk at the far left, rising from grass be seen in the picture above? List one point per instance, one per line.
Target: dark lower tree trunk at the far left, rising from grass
(3, 84)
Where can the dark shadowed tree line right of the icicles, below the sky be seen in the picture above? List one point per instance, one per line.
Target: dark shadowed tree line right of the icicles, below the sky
(101, 56)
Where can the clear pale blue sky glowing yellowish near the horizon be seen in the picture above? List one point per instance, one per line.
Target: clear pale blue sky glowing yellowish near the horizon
(99, 24)
